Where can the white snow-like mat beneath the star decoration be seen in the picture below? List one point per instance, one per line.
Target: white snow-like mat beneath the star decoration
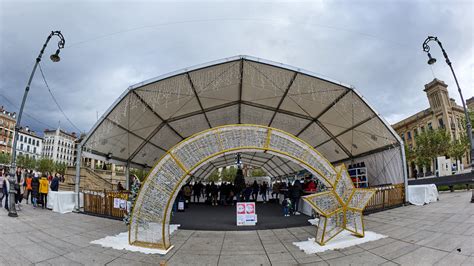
(342, 240)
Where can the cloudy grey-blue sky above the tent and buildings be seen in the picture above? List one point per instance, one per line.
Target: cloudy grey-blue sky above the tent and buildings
(376, 46)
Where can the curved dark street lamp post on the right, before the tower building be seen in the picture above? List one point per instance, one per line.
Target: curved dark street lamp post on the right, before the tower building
(431, 61)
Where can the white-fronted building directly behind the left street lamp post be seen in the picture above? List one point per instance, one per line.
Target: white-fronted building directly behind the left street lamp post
(29, 144)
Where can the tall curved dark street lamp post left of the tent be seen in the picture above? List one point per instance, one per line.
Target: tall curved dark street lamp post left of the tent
(13, 180)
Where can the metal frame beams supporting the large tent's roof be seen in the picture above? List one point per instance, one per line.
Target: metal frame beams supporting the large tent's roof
(240, 60)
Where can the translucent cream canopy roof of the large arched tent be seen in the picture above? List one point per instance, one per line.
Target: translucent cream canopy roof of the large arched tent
(151, 117)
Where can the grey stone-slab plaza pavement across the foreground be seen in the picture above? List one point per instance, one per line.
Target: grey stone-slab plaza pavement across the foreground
(440, 233)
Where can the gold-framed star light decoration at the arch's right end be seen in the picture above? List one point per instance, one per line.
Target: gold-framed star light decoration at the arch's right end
(340, 207)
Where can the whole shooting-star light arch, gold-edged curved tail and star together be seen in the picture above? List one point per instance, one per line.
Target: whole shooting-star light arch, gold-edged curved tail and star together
(149, 225)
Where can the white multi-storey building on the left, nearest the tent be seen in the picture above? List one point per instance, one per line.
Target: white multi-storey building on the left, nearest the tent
(59, 146)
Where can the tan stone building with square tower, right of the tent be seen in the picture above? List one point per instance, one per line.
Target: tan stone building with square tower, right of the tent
(442, 113)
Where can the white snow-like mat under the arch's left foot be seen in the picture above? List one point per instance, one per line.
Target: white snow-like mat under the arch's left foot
(120, 242)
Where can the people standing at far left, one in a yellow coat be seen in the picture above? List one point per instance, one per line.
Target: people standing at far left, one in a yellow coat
(31, 186)
